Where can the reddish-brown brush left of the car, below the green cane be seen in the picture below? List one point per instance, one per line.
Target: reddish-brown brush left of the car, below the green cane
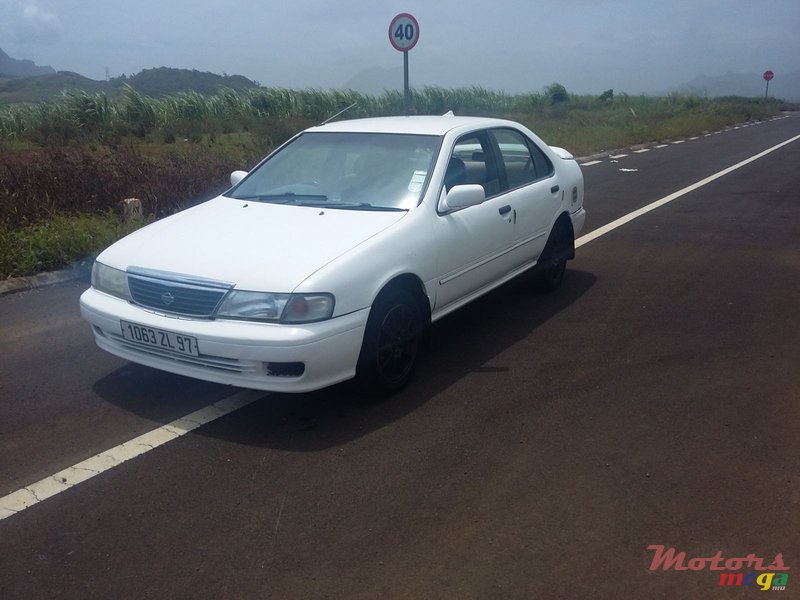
(35, 185)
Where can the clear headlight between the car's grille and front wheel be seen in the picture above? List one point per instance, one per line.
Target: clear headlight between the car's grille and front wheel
(285, 308)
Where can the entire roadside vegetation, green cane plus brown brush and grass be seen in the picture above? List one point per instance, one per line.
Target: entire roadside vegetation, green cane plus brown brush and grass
(66, 163)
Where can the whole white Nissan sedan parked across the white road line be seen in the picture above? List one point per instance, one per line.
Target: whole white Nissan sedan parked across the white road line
(330, 258)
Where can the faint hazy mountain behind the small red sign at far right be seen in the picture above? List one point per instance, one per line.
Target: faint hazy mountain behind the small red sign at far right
(785, 85)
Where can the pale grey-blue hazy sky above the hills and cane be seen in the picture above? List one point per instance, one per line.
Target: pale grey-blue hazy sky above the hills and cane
(513, 45)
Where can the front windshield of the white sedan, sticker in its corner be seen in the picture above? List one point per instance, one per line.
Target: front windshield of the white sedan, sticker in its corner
(356, 171)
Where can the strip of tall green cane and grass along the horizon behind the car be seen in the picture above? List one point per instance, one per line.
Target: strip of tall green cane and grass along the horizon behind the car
(581, 123)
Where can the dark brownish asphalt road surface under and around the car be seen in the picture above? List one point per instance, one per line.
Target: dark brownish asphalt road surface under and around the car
(545, 443)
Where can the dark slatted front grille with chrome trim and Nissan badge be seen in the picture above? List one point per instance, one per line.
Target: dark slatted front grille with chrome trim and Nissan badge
(176, 294)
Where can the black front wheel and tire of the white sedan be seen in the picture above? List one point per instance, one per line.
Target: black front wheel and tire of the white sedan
(391, 345)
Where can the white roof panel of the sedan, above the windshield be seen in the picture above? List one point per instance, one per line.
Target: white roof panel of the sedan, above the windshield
(424, 125)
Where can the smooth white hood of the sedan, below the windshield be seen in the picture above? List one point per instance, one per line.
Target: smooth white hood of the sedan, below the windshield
(256, 246)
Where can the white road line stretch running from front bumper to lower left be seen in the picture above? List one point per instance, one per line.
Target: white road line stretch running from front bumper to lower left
(48, 487)
